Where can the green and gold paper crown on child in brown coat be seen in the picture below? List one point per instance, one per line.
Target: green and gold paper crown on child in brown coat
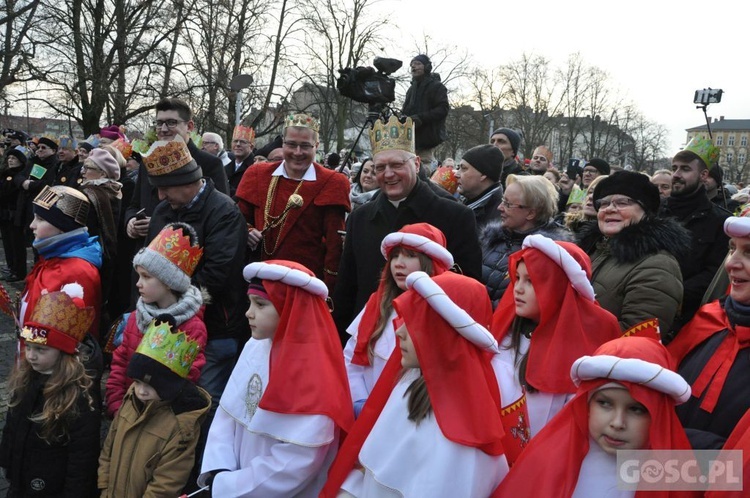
(174, 350)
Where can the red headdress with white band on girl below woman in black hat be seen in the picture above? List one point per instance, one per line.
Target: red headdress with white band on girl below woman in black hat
(572, 323)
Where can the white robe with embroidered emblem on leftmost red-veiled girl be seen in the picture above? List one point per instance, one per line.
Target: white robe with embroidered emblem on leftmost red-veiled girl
(269, 454)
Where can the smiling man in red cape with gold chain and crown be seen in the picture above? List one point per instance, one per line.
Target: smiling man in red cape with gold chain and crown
(306, 231)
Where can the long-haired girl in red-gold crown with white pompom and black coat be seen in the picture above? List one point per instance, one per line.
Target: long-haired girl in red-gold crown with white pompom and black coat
(50, 441)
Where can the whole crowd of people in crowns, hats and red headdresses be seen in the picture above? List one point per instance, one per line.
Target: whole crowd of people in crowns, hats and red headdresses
(269, 326)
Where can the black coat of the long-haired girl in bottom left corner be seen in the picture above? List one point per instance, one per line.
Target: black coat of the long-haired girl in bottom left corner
(34, 467)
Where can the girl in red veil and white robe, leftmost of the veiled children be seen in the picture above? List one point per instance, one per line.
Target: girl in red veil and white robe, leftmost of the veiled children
(286, 405)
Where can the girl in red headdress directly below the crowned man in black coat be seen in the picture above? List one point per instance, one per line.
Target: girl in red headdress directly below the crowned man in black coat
(415, 247)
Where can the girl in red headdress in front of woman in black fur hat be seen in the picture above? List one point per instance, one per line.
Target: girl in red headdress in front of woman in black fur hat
(547, 319)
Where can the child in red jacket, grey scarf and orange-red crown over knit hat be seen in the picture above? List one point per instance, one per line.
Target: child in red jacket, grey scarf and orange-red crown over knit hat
(164, 269)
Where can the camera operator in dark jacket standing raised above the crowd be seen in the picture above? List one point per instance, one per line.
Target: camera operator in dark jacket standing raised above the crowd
(427, 105)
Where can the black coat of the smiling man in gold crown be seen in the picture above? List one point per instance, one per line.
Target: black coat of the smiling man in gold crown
(362, 262)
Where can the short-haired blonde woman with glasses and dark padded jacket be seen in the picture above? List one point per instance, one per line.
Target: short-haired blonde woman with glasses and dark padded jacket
(529, 206)
